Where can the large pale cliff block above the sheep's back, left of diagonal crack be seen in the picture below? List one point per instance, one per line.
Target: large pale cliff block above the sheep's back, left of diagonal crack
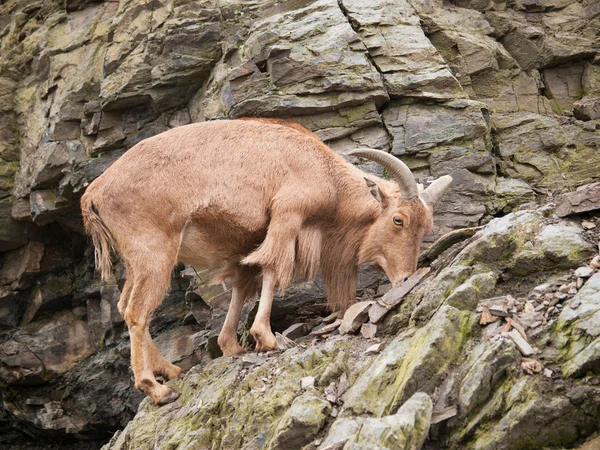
(265, 78)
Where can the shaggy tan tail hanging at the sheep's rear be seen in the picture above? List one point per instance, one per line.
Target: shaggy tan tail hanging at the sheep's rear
(104, 242)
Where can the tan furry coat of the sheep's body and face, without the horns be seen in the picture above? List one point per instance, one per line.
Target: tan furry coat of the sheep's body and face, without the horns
(253, 196)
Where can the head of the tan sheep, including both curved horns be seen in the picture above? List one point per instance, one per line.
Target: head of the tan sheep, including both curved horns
(406, 216)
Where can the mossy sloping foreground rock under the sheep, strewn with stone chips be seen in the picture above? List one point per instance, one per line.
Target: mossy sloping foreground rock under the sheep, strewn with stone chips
(329, 392)
